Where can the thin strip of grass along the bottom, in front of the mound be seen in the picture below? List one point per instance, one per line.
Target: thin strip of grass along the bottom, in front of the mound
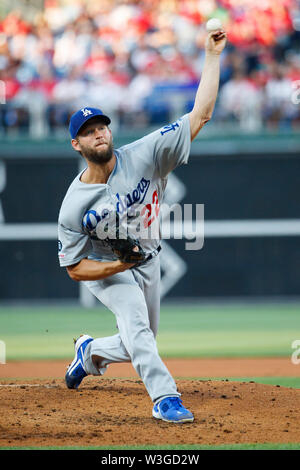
(267, 446)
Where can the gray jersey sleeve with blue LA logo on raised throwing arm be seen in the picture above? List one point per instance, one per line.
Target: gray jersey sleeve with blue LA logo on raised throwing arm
(172, 146)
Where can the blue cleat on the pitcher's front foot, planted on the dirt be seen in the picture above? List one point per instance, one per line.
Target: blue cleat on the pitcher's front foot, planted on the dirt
(170, 409)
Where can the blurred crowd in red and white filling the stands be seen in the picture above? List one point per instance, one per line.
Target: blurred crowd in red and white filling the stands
(141, 61)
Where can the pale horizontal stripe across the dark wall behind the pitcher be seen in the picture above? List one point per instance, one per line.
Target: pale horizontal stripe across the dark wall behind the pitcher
(212, 229)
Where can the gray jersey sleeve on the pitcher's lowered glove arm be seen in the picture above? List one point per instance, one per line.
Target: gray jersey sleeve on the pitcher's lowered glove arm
(73, 246)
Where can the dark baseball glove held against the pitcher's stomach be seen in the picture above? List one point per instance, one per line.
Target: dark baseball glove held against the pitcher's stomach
(126, 248)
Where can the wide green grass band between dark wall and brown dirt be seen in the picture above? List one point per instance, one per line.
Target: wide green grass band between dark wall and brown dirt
(185, 331)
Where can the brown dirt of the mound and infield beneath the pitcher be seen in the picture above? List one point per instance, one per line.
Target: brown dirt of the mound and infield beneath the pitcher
(111, 411)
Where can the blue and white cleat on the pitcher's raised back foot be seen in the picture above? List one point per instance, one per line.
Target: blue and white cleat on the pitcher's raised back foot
(75, 372)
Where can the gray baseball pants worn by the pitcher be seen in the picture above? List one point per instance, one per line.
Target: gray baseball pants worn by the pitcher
(134, 298)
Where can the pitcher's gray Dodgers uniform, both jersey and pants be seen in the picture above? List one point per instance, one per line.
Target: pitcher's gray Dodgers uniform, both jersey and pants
(138, 178)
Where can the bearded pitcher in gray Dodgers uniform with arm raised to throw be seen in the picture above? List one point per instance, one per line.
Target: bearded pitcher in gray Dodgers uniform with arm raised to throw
(120, 264)
